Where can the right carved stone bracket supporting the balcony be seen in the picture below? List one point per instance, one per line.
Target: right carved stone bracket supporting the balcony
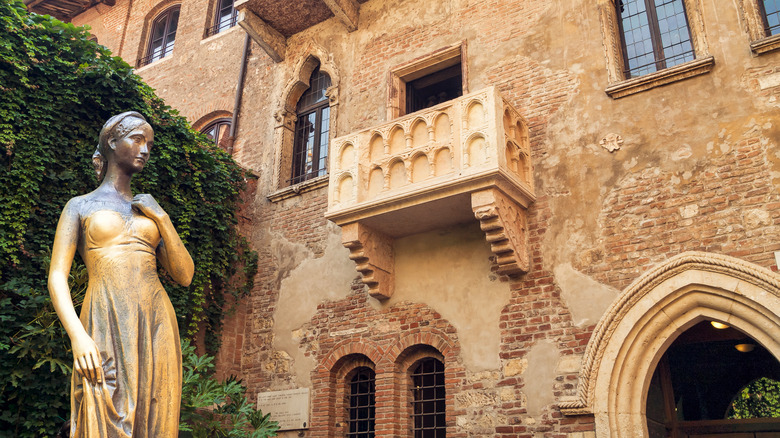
(504, 223)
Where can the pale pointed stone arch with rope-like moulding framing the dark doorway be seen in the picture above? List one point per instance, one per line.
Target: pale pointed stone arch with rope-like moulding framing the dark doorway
(647, 317)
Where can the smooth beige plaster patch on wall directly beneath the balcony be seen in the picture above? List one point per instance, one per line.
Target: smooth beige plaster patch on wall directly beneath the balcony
(449, 270)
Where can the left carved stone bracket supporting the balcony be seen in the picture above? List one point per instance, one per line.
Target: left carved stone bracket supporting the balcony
(372, 251)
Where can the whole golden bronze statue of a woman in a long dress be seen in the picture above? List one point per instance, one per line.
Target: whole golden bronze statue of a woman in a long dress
(126, 354)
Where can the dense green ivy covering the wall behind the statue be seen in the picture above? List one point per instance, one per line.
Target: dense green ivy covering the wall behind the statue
(57, 89)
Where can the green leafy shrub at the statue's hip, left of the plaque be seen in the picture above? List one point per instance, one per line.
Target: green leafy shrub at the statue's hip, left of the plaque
(217, 409)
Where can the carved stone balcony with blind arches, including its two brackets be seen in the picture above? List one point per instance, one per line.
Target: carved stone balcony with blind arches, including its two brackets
(463, 160)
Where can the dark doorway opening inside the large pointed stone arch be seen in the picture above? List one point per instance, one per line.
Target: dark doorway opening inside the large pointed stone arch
(699, 378)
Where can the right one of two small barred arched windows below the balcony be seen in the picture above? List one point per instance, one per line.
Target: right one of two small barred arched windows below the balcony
(428, 402)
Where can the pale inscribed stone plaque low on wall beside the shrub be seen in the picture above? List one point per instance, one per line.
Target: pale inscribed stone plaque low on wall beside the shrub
(290, 408)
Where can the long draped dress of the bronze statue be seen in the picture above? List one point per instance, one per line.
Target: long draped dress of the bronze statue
(129, 315)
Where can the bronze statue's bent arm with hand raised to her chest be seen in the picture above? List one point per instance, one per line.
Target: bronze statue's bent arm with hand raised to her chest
(171, 251)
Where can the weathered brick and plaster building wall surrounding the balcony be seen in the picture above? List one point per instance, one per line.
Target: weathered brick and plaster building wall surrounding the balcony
(697, 168)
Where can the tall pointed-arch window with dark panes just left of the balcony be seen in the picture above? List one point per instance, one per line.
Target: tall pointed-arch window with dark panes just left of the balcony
(310, 147)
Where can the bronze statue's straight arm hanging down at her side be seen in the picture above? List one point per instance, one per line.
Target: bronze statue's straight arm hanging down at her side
(86, 357)
